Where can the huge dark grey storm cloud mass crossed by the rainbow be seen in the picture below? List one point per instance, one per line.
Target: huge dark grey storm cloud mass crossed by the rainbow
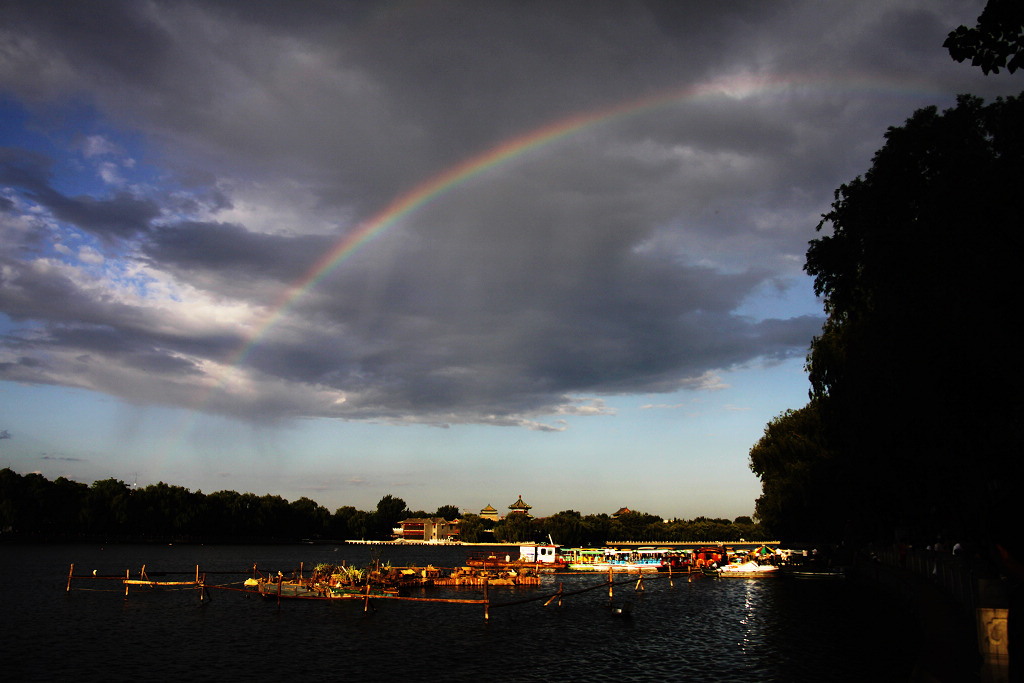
(612, 262)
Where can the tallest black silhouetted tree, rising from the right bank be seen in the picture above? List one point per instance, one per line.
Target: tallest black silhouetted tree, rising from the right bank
(920, 285)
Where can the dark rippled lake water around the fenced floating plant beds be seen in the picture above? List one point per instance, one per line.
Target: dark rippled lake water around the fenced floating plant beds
(712, 630)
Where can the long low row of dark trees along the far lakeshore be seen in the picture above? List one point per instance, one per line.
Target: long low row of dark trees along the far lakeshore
(34, 508)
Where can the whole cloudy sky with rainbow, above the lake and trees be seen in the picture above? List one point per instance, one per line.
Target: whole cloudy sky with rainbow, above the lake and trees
(455, 252)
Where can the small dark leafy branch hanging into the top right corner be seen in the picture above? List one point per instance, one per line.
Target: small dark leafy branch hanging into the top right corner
(999, 37)
